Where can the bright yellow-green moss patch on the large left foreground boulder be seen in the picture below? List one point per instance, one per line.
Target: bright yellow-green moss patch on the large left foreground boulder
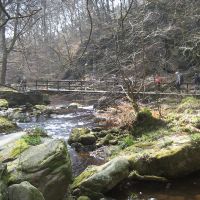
(20, 146)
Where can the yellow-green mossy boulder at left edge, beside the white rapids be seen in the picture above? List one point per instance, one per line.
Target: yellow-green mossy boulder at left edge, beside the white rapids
(7, 126)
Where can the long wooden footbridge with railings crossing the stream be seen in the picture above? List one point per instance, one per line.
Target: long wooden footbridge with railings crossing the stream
(101, 88)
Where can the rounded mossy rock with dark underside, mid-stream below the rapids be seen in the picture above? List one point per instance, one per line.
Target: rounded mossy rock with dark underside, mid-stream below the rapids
(83, 136)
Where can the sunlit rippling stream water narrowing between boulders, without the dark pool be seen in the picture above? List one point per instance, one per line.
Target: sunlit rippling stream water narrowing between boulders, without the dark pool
(60, 126)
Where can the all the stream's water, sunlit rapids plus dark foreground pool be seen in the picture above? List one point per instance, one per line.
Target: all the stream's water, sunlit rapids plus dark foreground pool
(60, 126)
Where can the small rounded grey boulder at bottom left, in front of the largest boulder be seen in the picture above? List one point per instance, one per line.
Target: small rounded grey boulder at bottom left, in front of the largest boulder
(24, 191)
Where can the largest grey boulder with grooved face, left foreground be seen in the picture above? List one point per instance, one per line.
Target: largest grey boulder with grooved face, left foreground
(46, 166)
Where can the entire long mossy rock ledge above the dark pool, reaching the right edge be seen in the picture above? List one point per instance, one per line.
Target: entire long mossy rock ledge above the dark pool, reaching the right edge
(168, 158)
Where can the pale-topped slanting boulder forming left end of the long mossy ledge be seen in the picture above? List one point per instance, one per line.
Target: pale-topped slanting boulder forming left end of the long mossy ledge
(97, 180)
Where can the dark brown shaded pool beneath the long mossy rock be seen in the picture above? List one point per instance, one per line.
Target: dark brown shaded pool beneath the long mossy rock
(187, 188)
